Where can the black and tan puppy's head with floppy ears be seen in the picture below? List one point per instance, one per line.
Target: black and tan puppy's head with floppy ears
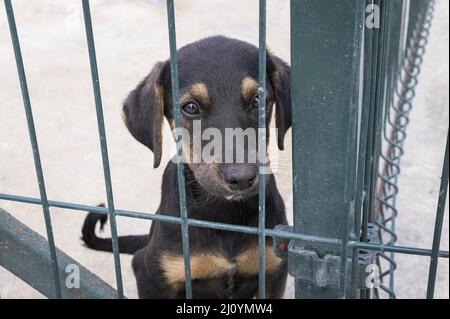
(218, 83)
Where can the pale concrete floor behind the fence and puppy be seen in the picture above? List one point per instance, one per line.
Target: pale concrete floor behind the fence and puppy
(130, 37)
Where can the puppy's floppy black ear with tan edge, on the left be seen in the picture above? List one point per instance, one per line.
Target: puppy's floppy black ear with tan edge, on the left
(143, 111)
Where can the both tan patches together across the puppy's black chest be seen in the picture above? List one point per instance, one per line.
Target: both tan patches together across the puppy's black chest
(213, 265)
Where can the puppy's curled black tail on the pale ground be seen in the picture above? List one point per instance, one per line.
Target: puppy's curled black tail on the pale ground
(127, 244)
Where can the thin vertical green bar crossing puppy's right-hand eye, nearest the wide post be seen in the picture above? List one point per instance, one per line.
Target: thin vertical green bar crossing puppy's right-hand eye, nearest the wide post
(262, 149)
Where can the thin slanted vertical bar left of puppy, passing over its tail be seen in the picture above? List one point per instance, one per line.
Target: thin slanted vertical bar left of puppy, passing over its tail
(103, 143)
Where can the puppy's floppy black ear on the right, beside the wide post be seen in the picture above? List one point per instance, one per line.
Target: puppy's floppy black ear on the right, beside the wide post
(280, 74)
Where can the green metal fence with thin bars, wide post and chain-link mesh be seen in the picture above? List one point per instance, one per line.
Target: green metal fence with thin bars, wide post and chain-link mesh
(352, 91)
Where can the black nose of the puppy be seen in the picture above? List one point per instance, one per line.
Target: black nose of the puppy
(240, 177)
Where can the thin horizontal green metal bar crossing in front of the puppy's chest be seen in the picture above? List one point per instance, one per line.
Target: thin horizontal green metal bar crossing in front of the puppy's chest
(225, 227)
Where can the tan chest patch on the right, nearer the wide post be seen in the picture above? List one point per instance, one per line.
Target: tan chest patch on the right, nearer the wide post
(247, 262)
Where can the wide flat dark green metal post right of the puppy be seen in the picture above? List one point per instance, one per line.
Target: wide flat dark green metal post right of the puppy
(322, 81)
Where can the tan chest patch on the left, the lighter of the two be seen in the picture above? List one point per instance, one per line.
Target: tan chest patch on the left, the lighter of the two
(203, 266)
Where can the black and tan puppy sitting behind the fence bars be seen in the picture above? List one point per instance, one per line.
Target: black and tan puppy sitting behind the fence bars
(218, 85)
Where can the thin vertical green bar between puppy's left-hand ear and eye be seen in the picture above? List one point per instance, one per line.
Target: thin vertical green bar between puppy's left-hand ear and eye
(180, 167)
